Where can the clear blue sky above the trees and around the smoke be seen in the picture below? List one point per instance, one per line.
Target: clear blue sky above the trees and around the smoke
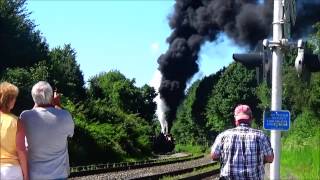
(126, 35)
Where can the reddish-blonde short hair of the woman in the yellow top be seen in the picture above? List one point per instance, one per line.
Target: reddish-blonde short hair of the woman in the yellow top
(8, 92)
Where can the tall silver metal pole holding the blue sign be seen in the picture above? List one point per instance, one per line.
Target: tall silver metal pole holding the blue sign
(276, 99)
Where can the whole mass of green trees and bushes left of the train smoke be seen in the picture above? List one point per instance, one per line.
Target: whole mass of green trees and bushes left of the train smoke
(114, 118)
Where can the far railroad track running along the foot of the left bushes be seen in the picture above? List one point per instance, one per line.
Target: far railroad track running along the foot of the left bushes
(112, 167)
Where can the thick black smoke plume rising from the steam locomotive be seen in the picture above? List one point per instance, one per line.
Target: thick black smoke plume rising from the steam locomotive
(195, 21)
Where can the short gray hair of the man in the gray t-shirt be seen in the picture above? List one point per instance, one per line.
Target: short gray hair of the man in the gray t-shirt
(42, 93)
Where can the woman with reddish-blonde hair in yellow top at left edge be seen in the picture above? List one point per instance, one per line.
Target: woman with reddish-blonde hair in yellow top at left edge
(13, 159)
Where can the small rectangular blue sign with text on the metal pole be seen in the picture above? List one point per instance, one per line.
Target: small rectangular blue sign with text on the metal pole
(276, 120)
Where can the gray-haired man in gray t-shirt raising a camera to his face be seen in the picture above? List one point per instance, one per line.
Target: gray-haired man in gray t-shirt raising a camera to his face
(47, 128)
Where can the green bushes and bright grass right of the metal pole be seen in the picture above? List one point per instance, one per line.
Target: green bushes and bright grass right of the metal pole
(300, 155)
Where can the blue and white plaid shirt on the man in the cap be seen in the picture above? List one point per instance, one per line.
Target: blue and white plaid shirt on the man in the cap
(242, 150)
